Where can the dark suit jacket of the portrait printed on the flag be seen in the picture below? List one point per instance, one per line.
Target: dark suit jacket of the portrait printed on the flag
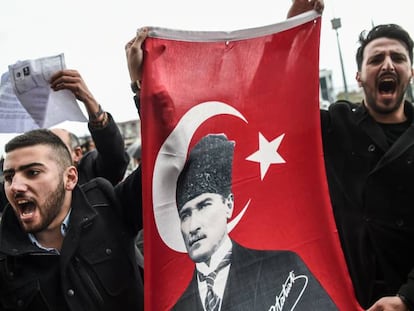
(263, 280)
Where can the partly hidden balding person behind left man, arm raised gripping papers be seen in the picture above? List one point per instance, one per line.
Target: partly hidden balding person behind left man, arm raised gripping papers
(109, 159)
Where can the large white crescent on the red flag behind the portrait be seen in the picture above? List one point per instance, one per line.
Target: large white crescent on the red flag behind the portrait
(168, 165)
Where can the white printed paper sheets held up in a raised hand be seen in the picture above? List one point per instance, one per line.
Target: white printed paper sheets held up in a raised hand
(28, 102)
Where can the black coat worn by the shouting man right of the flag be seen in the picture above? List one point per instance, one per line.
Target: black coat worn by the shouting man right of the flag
(372, 192)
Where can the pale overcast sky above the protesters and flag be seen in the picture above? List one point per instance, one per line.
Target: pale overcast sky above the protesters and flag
(92, 34)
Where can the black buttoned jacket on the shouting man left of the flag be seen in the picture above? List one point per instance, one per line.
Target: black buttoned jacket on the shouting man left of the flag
(96, 268)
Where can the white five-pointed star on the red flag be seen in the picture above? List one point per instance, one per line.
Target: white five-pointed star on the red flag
(267, 154)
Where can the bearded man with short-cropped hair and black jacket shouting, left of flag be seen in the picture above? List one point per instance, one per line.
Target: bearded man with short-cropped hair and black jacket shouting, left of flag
(65, 246)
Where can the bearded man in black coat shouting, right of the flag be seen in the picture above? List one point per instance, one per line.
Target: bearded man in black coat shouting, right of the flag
(369, 157)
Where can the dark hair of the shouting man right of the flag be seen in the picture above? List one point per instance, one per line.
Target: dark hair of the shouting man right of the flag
(391, 31)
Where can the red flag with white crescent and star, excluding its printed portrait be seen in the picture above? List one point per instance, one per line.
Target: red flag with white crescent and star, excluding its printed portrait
(259, 89)
